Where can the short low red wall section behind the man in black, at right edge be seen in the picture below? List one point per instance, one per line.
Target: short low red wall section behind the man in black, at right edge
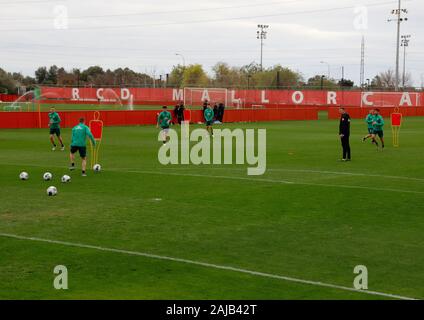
(359, 113)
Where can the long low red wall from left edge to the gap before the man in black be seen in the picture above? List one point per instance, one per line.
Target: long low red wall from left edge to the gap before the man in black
(148, 117)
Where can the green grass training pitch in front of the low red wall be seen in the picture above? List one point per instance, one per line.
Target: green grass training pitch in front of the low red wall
(332, 217)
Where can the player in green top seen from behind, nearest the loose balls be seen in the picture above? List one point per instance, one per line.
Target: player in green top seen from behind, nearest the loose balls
(79, 136)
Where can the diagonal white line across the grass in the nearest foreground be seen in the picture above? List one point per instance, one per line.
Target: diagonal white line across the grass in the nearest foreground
(208, 265)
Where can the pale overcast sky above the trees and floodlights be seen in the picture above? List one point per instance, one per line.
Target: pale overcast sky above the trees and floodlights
(146, 35)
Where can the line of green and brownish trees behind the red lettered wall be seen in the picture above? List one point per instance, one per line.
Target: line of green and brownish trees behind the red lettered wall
(250, 76)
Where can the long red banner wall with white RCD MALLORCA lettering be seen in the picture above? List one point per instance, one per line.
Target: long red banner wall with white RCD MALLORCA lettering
(268, 98)
